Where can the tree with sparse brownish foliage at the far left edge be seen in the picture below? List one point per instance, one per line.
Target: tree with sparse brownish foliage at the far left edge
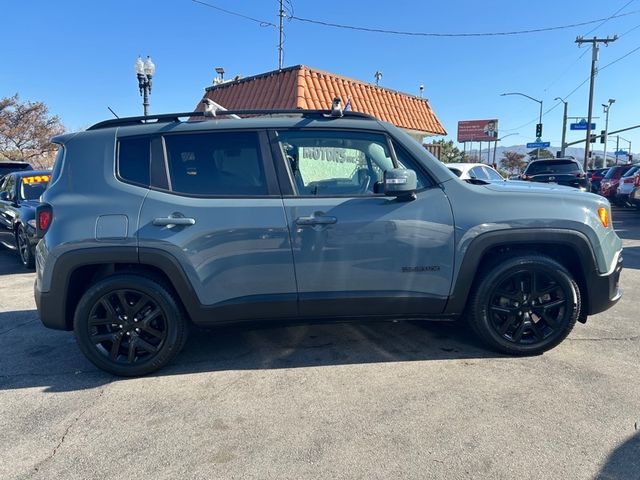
(25, 130)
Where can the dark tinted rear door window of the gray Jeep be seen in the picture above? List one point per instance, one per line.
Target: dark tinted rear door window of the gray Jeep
(226, 163)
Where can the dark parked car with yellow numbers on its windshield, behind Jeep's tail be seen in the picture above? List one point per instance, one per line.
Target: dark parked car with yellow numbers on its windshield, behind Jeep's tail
(19, 194)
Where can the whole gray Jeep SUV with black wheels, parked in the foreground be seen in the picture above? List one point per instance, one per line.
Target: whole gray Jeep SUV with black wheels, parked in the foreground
(150, 225)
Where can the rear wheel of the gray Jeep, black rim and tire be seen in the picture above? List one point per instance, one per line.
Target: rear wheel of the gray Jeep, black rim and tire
(129, 325)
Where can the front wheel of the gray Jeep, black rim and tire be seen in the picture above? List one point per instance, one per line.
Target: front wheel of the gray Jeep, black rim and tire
(524, 305)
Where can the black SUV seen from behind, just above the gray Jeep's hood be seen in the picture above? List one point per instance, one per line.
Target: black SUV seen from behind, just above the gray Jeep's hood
(561, 171)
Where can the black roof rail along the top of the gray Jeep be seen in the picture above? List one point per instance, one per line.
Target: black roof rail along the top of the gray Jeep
(175, 117)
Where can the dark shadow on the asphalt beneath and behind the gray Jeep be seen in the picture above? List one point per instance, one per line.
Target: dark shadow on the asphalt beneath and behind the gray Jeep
(34, 356)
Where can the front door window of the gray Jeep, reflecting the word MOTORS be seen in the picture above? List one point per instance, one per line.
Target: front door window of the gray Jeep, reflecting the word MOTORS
(336, 163)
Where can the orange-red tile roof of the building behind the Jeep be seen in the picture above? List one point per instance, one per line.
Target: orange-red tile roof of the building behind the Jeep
(308, 88)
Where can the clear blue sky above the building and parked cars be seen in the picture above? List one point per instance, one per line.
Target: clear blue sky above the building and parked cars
(77, 56)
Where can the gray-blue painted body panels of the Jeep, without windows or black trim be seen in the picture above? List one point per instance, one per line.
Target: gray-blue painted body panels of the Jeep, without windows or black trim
(442, 222)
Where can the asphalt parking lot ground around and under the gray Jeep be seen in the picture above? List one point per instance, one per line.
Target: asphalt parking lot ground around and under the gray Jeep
(380, 400)
